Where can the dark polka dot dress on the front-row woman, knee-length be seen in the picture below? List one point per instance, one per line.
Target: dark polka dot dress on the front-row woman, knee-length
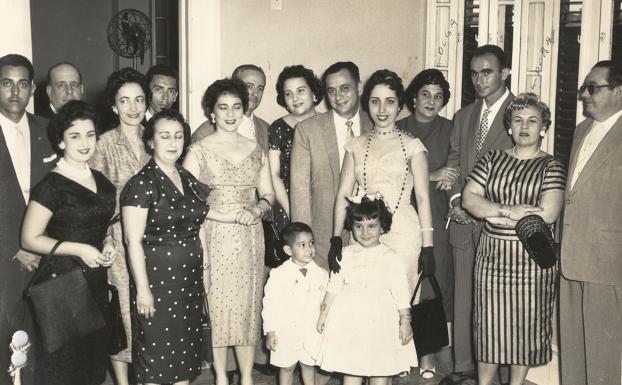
(167, 347)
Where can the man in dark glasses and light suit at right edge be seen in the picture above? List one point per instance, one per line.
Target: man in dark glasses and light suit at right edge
(591, 254)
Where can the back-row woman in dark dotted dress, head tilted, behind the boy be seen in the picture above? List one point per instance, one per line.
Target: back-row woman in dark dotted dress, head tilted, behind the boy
(298, 91)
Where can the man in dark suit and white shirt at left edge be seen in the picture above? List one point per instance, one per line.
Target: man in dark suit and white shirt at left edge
(25, 157)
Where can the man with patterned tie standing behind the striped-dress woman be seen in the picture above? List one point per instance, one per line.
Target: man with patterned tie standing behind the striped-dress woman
(478, 128)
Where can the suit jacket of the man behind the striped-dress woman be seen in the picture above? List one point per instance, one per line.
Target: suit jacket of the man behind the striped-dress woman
(462, 152)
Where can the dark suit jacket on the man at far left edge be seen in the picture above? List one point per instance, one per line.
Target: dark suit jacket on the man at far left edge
(13, 206)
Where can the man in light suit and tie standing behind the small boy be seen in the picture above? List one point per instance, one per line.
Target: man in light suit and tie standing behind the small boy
(317, 153)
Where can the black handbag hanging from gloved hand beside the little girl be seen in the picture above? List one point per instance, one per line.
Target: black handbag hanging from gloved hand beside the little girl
(428, 321)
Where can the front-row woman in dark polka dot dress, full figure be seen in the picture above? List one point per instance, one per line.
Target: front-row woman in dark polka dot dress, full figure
(163, 207)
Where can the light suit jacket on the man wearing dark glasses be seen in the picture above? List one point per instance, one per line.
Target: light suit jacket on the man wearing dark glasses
(592, 222)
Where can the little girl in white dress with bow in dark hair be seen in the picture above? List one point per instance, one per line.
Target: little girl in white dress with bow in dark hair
(365, 315)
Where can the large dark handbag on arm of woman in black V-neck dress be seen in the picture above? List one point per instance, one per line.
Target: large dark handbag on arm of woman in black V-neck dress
(64, 308)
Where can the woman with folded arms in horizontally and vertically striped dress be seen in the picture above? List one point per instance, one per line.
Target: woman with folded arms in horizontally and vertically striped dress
(514, 297)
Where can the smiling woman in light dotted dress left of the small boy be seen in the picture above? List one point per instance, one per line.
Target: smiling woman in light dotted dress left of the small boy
(237, 171)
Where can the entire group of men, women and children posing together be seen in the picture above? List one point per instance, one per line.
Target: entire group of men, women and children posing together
(172, 219)
